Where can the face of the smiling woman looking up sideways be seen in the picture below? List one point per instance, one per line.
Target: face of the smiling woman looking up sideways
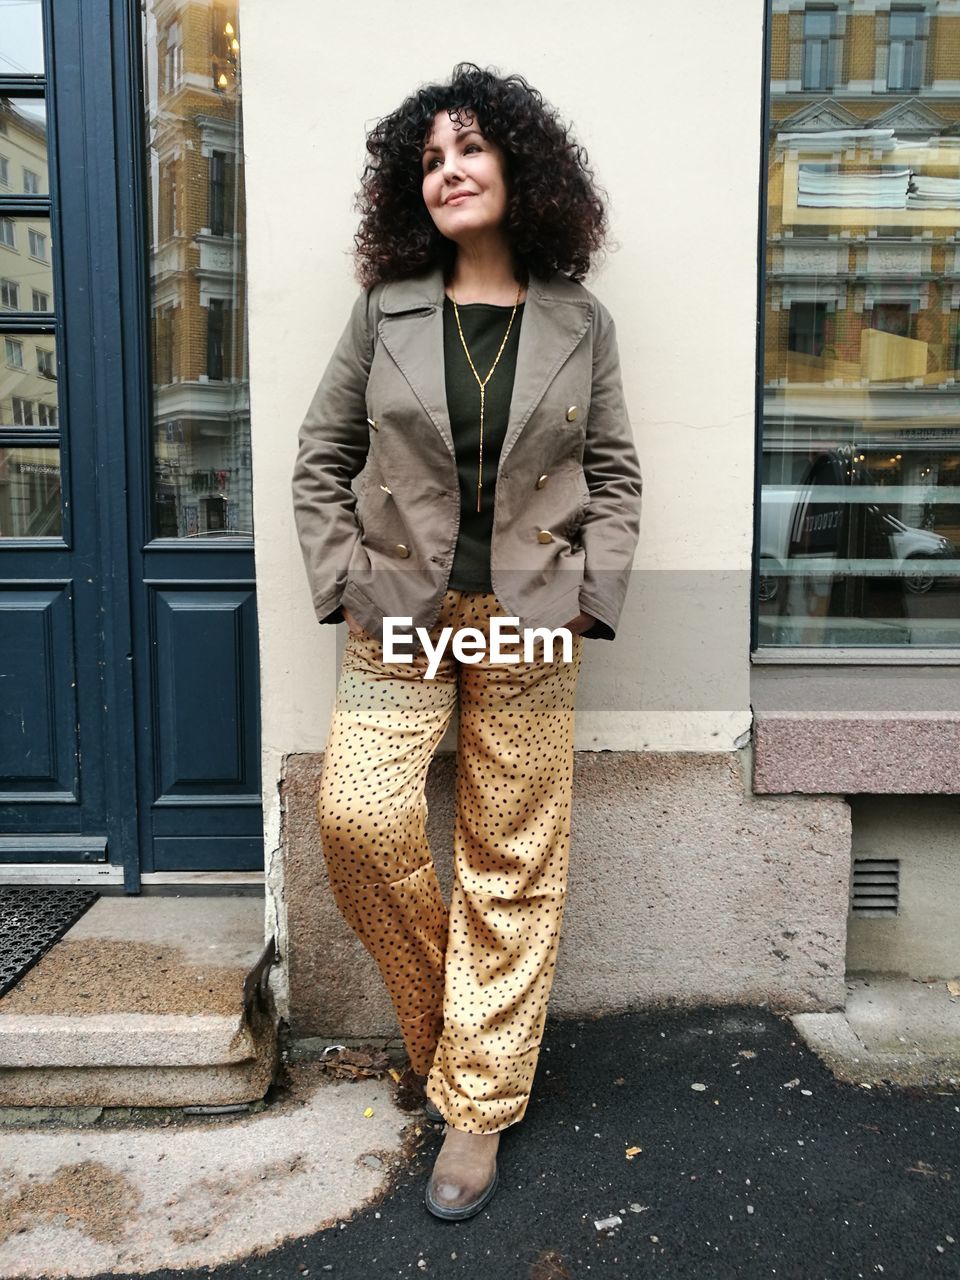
(465, 188)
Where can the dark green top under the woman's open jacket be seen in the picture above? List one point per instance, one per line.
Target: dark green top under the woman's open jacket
(484, 327)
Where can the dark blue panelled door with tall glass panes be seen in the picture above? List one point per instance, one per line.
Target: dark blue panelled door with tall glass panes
(129, 650)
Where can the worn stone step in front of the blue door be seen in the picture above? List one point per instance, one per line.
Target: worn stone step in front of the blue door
(143, 1004)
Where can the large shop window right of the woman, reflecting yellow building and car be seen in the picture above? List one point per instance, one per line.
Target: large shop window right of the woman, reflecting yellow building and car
(861, 463)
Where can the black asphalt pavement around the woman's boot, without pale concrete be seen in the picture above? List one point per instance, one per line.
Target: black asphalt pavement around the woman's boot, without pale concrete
(675, 1144)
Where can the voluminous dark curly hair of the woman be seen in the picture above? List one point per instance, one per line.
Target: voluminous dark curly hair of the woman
(556, 217)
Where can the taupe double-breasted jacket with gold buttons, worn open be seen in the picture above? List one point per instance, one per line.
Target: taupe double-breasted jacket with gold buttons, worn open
(376, 488)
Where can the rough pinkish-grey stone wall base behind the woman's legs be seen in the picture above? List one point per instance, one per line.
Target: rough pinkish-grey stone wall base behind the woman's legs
(685, 889)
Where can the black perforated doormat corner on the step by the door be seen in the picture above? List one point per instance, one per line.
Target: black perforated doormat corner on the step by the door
(34, 917)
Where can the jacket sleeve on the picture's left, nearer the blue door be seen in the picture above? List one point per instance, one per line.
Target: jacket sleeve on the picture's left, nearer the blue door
(333, 446)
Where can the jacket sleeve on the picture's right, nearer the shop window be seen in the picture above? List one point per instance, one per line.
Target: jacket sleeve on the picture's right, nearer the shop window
(612, 524)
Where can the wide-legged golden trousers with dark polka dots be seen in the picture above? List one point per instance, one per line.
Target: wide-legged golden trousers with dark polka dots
(470, 985)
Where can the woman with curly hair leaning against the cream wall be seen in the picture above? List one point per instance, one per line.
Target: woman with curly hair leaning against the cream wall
(477, 395)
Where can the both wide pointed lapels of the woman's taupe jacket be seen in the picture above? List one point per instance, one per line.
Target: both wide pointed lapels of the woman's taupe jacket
(556, 318)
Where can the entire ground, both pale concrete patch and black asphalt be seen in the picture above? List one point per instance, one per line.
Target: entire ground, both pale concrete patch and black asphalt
(708, 1142)
